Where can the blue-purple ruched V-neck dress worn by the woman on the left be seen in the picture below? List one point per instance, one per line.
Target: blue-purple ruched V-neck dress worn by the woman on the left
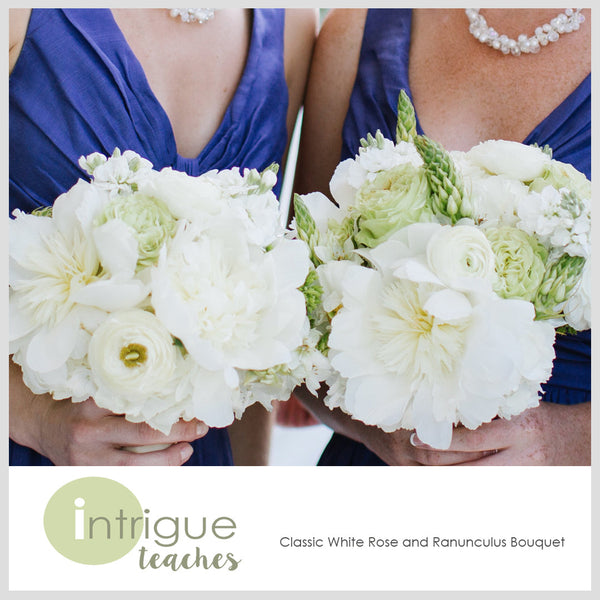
(77, 88)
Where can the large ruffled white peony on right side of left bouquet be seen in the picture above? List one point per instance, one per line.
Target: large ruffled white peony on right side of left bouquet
(233, 305)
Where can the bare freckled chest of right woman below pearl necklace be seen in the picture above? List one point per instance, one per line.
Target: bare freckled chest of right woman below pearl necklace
(465, 92)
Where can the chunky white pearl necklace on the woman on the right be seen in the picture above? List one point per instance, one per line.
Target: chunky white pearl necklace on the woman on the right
(565, 22)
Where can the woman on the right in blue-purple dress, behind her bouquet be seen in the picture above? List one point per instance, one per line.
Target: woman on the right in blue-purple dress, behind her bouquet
(464, 92)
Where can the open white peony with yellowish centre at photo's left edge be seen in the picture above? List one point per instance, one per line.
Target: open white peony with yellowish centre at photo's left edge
(59, 285)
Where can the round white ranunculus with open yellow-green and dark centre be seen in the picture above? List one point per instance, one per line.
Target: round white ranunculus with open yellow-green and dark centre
(134, 362)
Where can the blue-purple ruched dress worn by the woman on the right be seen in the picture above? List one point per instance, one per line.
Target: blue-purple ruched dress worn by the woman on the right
(382, 73)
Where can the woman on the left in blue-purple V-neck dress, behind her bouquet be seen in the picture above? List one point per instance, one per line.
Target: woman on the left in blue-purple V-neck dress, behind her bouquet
(194, 96)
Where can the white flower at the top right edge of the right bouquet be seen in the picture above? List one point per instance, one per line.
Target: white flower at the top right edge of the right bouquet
(510, 159)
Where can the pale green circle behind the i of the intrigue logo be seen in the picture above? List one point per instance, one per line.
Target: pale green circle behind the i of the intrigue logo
(93, 520)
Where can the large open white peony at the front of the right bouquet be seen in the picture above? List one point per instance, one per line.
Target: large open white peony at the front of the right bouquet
(416, 354)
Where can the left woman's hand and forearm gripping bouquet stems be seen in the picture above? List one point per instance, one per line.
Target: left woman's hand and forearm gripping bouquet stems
(81, 433)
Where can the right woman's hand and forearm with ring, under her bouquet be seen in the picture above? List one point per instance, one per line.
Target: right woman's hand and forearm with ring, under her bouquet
(550, 434)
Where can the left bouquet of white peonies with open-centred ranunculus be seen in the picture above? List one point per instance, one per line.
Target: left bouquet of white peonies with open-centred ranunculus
(161, 295)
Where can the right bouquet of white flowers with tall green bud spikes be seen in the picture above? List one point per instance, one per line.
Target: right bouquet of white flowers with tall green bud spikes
(441, 278)
